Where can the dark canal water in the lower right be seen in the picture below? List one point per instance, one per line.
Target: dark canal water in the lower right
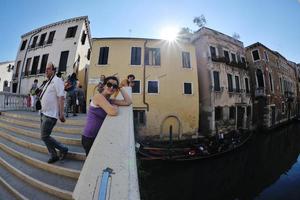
(266, 167)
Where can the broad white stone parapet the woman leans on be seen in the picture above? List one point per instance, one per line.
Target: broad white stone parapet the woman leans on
(110, 170)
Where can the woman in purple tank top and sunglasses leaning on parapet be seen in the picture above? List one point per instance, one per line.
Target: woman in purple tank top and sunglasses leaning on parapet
(100, 106)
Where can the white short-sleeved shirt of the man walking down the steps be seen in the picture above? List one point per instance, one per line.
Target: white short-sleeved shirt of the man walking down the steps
(50, 105)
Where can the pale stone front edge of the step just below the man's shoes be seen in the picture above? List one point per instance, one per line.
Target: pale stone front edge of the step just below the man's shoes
(39, 164)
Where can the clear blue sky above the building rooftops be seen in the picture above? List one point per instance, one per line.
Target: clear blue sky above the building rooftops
(275, 23)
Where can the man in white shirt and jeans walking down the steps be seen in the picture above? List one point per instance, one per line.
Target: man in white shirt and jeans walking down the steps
(52, 101)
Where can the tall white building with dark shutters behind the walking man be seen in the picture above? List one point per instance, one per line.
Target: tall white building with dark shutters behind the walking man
(65, 43)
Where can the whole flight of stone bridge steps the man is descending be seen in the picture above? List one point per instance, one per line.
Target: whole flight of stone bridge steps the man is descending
(24, 171)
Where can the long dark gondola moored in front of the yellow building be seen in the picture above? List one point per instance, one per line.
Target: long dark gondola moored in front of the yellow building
(203, 148)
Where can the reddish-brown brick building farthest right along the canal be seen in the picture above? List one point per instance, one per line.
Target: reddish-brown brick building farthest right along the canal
(274, 86)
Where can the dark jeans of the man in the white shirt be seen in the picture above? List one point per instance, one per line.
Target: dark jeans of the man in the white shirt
(47, 124)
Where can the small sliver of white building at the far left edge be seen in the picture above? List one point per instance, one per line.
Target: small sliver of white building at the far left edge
(6, 73)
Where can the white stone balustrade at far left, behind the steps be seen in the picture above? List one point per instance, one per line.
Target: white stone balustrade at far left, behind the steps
(12, 101)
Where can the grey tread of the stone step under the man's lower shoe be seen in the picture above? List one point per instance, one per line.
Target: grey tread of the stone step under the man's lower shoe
(42, 157)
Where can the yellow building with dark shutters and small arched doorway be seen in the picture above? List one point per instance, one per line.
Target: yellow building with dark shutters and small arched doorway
(165, 95)
